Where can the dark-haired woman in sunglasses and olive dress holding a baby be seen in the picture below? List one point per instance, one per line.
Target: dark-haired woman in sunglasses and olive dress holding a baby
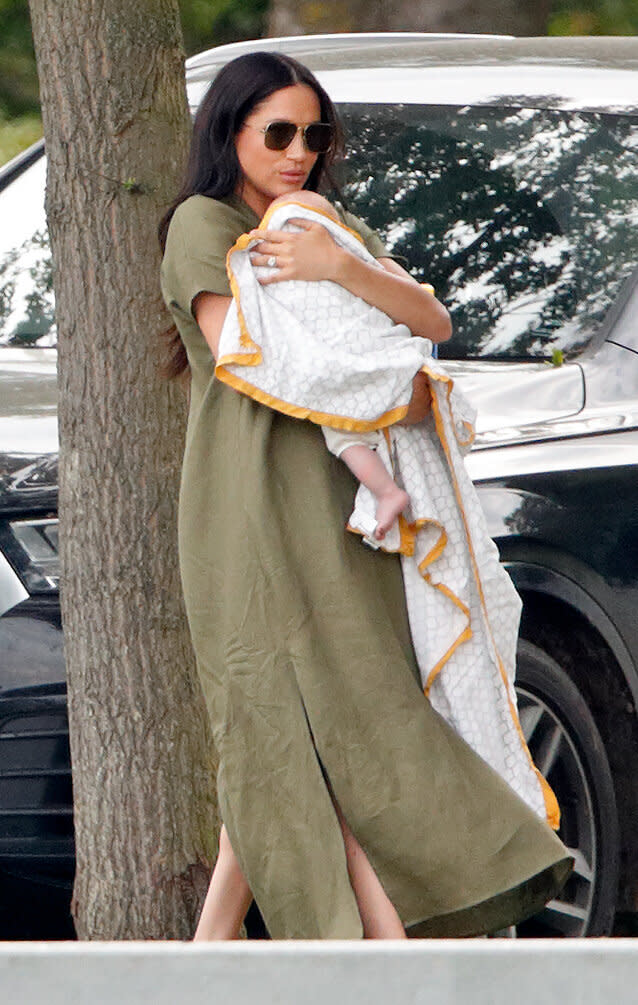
(350, 808)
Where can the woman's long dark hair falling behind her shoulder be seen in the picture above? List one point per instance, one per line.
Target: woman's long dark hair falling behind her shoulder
(214, 168)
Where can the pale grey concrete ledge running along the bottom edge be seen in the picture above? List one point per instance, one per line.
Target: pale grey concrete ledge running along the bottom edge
(494, 972)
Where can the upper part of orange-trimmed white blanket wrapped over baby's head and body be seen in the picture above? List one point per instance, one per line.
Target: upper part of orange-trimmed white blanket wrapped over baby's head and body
(302, 348)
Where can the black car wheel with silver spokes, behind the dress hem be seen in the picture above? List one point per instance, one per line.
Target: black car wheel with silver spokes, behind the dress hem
(567, 748)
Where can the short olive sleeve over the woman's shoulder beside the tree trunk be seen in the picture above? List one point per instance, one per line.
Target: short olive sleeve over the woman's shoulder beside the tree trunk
(200, 235)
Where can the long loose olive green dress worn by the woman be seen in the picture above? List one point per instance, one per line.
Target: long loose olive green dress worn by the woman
(305, 657)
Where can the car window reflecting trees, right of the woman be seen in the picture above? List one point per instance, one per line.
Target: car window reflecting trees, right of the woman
(524, 220)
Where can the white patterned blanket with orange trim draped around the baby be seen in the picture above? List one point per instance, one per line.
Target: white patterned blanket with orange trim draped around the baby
(314, 351)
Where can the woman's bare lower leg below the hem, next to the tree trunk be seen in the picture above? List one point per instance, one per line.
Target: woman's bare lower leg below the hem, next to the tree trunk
(228, 900)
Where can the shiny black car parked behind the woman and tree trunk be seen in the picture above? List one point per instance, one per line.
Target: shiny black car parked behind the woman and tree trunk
(505, 172)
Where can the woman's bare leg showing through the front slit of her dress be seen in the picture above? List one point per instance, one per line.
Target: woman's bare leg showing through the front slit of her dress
(378, 915)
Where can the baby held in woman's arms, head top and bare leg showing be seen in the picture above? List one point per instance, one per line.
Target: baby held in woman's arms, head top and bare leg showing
(359, 450)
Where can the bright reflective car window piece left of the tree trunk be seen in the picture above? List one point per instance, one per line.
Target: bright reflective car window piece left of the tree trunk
(27, 283)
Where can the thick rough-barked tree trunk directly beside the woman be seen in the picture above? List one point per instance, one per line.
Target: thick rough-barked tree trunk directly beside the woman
(117, 126)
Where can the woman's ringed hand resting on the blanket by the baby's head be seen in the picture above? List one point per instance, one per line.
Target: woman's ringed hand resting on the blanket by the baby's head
(310, 254)
